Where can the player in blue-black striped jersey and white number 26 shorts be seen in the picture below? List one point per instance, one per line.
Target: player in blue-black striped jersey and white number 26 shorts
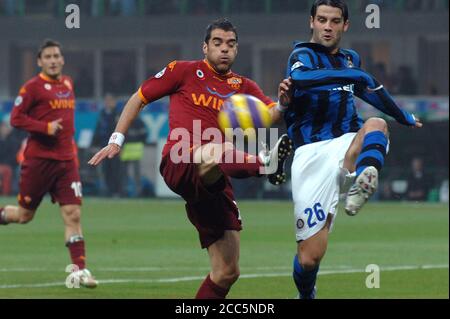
(330, 138)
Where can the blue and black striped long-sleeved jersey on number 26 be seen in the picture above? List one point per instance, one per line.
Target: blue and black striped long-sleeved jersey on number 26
(325, 84)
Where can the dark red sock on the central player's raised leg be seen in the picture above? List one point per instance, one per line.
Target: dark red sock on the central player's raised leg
(239, 164)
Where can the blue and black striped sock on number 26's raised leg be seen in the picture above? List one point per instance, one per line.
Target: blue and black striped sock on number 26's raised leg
(373, 152)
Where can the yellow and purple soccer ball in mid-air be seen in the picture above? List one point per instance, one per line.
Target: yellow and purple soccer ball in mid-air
(245, 112)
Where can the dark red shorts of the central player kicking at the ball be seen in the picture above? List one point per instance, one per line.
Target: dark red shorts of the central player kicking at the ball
(212, 210)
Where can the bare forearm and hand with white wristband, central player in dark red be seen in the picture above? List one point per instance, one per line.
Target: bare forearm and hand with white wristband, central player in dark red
(129, 113)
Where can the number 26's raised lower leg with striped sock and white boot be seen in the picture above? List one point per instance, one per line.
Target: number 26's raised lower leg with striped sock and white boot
(369, 162)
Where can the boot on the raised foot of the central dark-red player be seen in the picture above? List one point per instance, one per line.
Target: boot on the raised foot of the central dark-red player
(275, 159)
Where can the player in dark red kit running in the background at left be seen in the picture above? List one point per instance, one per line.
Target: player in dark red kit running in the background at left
(45, 109)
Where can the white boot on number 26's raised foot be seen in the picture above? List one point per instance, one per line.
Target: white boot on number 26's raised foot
(365, 185)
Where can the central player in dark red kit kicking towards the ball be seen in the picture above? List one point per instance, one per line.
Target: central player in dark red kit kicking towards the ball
(197, 89)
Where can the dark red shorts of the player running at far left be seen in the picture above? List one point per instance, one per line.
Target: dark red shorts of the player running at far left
(40, 176)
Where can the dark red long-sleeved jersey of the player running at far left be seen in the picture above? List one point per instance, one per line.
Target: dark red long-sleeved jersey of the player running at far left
(42, 100)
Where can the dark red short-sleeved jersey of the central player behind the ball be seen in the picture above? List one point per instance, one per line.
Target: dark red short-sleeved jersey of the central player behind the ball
(196, 92)
